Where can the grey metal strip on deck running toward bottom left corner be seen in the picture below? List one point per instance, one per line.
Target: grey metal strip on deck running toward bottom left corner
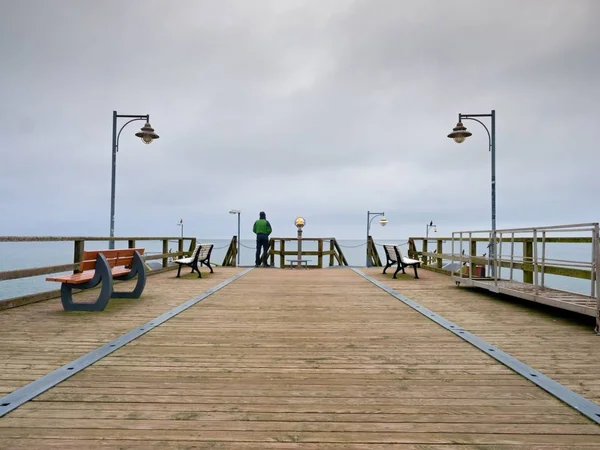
(41, 385)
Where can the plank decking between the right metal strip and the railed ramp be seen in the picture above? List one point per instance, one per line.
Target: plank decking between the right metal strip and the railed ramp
(558, 343)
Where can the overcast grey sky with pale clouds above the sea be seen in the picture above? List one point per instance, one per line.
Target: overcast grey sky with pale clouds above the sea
(322, 108)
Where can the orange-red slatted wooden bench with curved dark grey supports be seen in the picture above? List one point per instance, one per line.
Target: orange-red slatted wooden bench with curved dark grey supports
(102, 267)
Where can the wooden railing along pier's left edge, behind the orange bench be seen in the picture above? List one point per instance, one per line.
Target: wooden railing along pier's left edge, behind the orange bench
(79, 243)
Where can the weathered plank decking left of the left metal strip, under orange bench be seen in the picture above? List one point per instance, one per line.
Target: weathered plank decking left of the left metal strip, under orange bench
(39, 338)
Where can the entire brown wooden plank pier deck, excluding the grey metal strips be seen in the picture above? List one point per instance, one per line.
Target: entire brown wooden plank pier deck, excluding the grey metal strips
(299, 359)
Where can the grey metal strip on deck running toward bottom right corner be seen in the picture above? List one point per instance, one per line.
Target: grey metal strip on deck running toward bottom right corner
(576, 401)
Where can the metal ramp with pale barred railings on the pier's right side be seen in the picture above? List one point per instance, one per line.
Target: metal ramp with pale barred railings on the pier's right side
(525, 258)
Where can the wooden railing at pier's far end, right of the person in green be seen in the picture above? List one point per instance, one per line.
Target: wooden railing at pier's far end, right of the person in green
(326, 247)
